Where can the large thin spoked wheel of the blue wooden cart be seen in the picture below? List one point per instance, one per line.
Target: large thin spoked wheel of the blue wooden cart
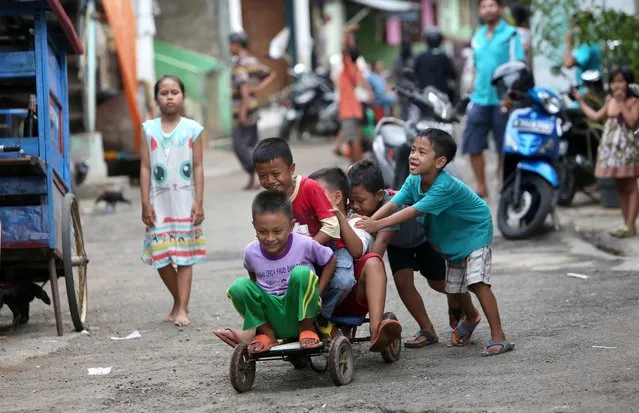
(75, 261)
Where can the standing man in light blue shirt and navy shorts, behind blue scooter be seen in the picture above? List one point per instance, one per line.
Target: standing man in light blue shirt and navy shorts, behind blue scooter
(494, 44)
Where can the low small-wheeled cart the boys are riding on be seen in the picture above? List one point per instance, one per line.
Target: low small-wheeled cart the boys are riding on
(337, 354)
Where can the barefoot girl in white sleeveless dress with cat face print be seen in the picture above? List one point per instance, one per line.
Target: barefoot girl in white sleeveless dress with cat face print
(172, 192)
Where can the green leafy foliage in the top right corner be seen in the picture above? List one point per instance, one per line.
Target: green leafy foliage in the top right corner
(614, 31)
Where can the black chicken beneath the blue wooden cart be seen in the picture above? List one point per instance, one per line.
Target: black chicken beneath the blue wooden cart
(17, 295)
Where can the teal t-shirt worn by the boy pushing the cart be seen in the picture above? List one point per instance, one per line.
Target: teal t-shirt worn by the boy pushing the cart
(457, 221)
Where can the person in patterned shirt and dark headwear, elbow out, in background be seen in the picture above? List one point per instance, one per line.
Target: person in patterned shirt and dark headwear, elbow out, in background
(248, 77)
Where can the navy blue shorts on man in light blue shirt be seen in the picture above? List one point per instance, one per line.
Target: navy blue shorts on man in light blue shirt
(479, 121)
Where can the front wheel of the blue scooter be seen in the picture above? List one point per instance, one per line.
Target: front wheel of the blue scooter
(530, 214)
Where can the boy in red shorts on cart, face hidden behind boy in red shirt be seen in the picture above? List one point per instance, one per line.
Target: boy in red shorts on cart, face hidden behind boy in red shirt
(368, 296)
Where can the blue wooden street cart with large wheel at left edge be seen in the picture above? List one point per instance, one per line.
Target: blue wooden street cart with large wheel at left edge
(40, 230)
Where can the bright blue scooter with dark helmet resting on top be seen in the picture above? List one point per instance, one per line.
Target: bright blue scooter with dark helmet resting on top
(532, 147)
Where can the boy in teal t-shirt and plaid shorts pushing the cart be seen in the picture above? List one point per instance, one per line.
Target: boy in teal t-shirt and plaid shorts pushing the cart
(458, 224)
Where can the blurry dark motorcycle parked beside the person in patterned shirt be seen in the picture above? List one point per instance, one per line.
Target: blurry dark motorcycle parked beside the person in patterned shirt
(311, 107)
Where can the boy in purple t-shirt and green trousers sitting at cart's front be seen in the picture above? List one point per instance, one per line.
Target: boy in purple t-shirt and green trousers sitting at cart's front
(281, 296)
